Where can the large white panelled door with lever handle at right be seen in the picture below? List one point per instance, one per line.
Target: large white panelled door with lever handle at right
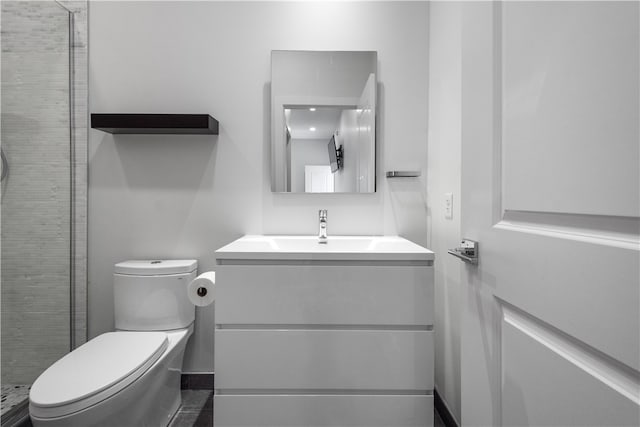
(550, 183)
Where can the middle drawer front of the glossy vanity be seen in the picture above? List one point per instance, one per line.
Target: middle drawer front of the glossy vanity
(324, 359)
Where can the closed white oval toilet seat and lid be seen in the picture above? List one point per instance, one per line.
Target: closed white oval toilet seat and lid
(95, 371)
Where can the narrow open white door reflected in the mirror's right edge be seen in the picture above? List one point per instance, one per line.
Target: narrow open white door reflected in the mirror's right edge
(366, 119)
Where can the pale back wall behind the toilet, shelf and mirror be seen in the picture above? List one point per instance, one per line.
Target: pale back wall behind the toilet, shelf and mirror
(185, 196)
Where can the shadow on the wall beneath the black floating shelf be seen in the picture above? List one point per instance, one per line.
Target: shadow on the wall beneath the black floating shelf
(179, 162)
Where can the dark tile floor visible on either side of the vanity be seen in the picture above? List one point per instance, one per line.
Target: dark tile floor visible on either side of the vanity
(197, 410)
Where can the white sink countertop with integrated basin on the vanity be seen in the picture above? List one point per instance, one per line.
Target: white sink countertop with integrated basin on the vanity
(366, 248)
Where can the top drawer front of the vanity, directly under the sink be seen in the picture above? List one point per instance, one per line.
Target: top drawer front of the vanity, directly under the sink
(336, 295)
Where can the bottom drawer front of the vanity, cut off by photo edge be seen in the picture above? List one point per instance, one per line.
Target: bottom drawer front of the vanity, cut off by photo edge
(323, 410)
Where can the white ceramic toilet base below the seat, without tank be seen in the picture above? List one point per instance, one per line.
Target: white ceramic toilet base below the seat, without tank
(151, 400)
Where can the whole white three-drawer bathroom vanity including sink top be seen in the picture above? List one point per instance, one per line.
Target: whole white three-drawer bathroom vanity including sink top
(335, 334)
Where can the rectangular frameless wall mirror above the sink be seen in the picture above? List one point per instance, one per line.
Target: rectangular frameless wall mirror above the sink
(323, 121)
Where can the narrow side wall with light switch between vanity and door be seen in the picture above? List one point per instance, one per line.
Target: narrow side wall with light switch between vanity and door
(443, 176)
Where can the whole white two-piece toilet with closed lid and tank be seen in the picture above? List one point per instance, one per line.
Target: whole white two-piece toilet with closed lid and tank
(130, 377)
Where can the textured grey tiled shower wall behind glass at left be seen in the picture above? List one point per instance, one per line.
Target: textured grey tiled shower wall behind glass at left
(39, 134)
